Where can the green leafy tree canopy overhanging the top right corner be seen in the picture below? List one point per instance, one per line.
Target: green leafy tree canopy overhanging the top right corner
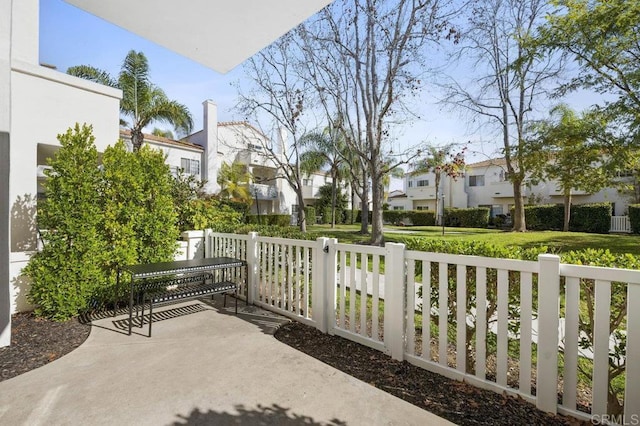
(603, 37)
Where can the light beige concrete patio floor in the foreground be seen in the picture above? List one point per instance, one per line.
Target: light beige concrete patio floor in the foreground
(203, 365)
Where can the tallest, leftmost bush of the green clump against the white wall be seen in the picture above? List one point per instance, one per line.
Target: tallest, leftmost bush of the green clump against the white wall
(68, 272)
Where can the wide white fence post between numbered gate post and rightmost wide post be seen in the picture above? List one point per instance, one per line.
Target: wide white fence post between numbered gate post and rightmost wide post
(394, 298)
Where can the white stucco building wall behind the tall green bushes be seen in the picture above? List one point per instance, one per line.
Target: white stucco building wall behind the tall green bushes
(45, 103)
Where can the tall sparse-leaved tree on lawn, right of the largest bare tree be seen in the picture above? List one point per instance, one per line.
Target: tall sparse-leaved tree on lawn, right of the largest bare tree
(507, 79)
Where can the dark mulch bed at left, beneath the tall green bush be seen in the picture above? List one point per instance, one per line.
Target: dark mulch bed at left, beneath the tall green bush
(37, 341)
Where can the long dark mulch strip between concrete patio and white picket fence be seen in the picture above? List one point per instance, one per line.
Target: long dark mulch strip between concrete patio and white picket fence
(455, 401)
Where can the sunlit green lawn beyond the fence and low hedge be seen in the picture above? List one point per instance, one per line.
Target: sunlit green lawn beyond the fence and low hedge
(556, 241)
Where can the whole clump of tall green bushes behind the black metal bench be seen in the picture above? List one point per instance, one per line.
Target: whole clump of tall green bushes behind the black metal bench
(98, 220)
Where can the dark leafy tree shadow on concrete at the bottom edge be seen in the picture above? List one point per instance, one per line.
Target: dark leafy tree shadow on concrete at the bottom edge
(261, 415)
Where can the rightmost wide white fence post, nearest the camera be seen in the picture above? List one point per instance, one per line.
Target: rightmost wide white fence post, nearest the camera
(548, 321)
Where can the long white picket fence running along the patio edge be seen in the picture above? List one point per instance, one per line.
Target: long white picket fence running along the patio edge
(304, 281)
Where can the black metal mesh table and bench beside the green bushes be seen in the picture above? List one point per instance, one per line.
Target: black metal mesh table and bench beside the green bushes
(168, 282)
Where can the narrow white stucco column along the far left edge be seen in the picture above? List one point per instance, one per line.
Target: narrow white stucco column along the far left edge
(5, 124)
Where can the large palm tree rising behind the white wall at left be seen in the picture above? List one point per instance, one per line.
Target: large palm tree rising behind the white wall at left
(142, 101)
